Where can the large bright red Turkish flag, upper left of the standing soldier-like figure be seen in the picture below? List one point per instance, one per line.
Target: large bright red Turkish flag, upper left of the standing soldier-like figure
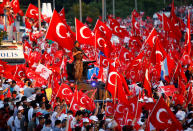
(58, 31)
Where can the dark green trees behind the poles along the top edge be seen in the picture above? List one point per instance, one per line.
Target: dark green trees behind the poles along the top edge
(93, 8)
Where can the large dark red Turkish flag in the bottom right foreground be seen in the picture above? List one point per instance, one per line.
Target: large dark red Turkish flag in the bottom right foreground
(162, 117)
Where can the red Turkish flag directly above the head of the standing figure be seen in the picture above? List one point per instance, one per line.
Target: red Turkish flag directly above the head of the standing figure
(83, 34)
